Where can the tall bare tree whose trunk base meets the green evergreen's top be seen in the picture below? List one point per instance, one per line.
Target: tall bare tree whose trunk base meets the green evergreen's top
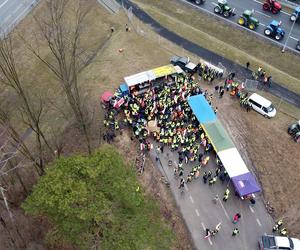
(62, 36)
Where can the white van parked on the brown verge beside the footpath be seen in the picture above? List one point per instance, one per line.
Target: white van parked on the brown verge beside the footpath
(262, 105)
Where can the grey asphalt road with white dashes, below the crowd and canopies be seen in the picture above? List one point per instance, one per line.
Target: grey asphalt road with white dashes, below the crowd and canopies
(199, 211)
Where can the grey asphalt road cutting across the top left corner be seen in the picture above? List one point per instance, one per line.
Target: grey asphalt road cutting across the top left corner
(12, 12)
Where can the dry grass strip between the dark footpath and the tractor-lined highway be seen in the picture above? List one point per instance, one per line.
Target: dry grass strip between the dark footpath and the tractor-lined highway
(232, 43)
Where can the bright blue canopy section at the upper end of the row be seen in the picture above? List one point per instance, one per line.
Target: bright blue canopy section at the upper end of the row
(201, 109)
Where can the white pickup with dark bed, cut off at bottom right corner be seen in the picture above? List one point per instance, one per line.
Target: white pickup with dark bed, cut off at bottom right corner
(271, 242)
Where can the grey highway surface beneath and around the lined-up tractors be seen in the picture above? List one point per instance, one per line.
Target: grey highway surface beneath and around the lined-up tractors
(264, 18)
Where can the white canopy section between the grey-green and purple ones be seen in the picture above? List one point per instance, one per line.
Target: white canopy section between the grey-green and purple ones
(233, 162)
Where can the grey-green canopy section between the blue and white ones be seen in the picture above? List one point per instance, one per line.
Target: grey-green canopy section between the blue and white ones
(218, 136)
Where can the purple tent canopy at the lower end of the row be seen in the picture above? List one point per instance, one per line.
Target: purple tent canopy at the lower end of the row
(245, 184)
